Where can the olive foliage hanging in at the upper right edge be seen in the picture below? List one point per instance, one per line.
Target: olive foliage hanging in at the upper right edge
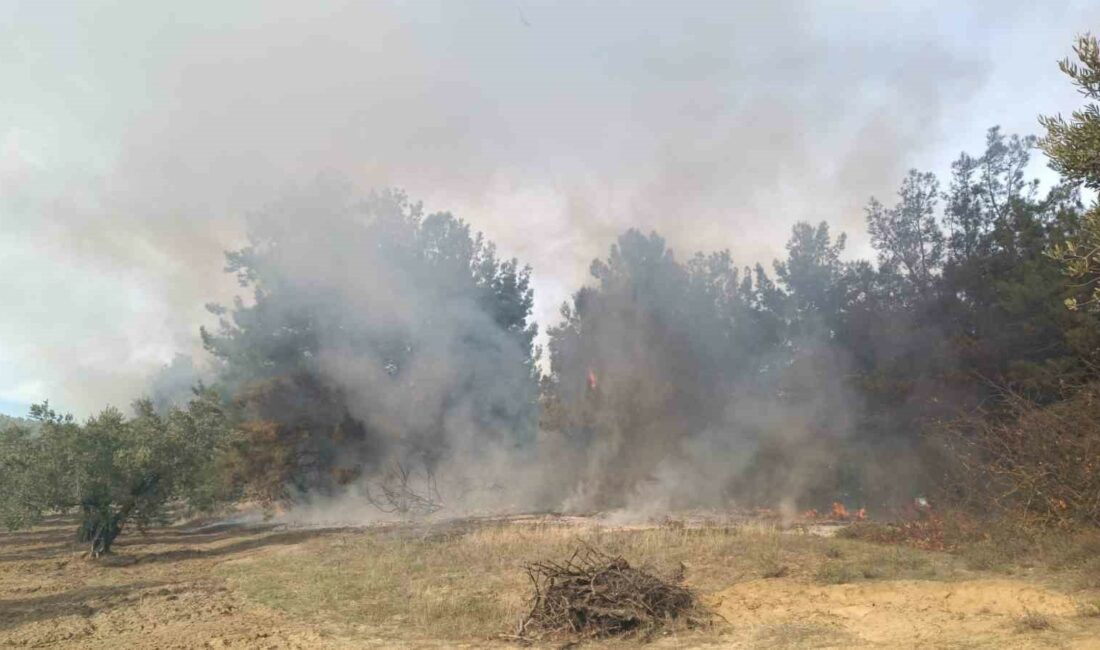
(1074, 149)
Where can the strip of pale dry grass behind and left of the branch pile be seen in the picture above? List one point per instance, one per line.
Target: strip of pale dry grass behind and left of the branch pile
(470, 585)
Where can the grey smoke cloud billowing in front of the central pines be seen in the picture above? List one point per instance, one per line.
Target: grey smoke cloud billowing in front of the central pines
(686, 412)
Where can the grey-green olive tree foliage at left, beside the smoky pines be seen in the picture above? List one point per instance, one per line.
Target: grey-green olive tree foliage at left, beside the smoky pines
(112, 470)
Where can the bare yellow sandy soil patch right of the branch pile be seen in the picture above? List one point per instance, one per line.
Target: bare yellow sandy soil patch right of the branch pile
(906, 614)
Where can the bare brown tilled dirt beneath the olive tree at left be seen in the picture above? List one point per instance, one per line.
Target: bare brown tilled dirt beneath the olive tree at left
(159, 591)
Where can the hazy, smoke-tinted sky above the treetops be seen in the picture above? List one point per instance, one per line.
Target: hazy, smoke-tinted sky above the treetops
(137, 137)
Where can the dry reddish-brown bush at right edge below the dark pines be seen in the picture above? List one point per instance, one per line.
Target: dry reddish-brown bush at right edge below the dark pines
(1039, 462)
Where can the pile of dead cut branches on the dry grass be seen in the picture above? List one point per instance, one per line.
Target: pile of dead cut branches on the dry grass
(593, 594)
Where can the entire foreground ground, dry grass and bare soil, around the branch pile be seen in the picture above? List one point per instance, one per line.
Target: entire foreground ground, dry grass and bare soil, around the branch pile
(461, 585)
